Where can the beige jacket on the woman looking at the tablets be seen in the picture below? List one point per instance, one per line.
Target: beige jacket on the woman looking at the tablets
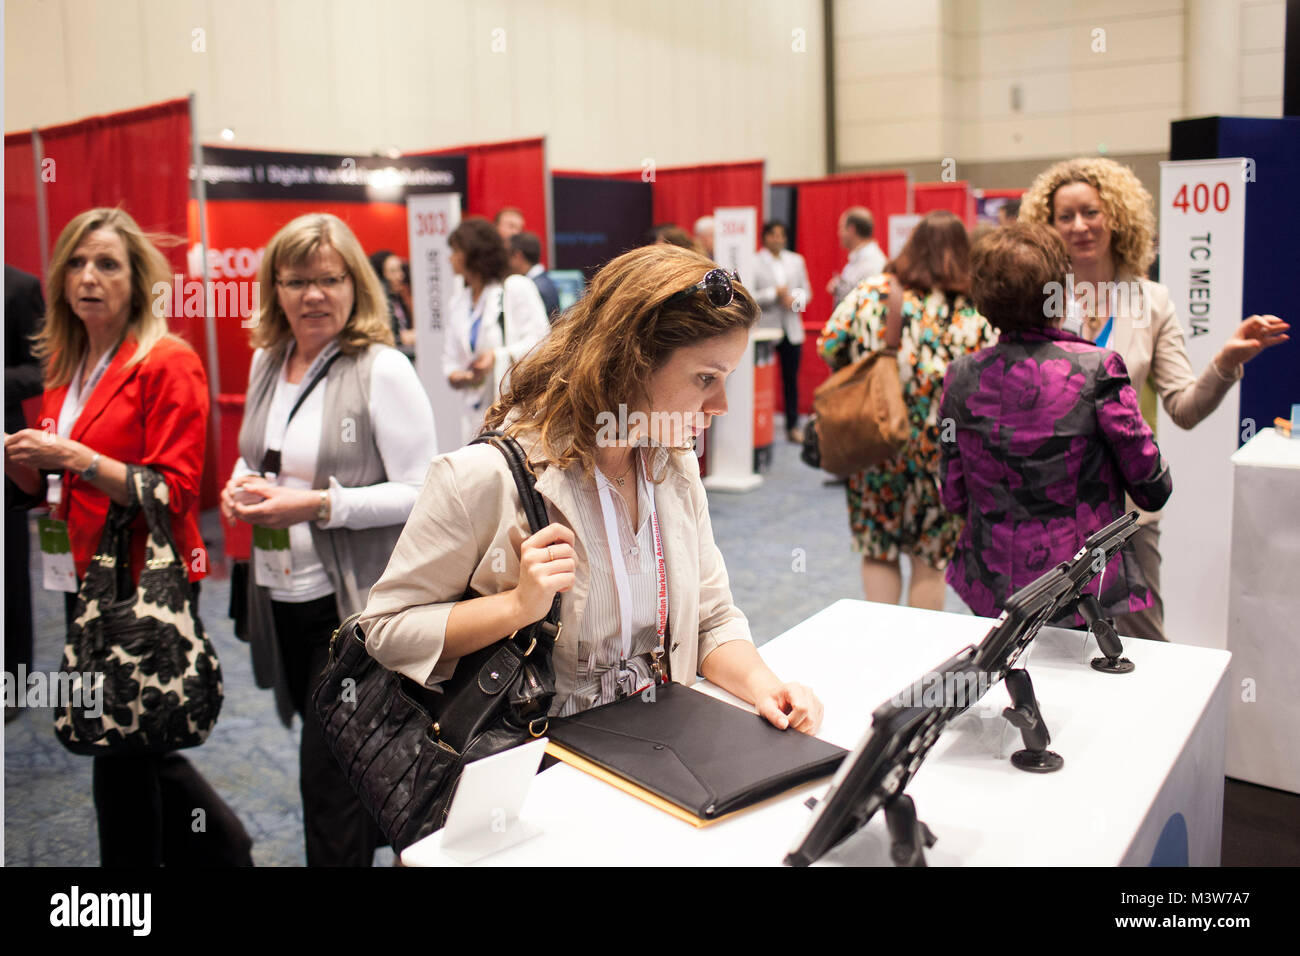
(458, 539)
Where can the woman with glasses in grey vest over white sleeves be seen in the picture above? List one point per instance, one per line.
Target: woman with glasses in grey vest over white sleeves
(337, 436)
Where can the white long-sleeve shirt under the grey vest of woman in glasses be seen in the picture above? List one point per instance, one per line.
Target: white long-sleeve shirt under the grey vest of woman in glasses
(405, 434)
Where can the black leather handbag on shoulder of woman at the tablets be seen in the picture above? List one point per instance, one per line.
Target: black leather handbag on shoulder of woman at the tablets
(404, 746)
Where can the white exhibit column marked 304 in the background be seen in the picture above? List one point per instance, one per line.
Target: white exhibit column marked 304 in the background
(731, 438)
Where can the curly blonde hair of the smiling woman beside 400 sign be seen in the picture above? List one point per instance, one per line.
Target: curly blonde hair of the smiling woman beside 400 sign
(1125, 202)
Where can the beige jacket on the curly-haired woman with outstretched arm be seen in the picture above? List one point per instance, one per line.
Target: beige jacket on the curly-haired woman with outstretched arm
(1154, 347)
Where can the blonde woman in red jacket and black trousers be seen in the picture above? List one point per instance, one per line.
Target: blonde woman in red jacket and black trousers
(124, 391)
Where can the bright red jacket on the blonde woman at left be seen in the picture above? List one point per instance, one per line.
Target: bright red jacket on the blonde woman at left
(153, 414)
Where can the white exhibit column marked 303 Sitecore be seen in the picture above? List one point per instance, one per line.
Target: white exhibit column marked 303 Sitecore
(430, 222)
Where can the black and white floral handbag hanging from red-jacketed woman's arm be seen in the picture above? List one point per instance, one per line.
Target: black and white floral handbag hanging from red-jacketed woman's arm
(141, 673)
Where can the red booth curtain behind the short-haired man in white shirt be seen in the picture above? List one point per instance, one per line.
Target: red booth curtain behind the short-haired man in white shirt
(820, 206)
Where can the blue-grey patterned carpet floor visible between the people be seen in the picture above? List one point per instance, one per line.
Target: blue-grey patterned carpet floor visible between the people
(787, 551)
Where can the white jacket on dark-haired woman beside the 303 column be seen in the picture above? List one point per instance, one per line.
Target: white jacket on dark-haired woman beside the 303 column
(526, 326)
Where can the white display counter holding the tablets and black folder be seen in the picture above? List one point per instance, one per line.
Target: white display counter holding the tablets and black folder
(1143, 758)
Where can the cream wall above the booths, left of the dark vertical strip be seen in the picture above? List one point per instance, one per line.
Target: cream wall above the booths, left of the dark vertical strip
(609, 83)
